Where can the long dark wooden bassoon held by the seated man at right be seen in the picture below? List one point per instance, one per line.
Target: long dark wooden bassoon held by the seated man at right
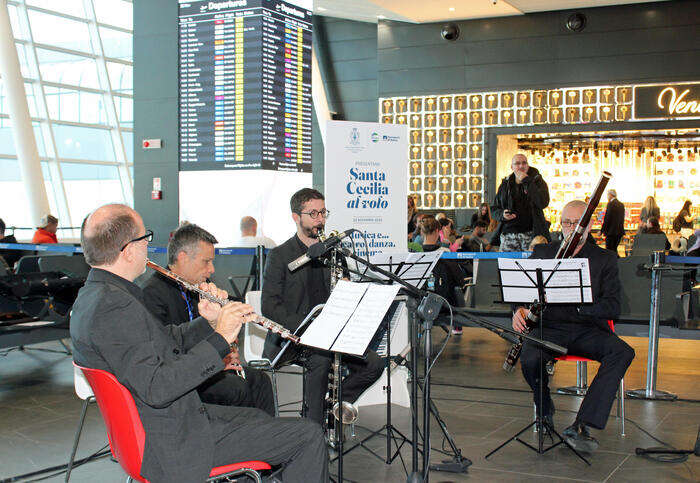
(566, 250)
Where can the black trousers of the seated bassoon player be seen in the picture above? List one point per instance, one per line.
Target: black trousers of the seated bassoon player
(588, 341)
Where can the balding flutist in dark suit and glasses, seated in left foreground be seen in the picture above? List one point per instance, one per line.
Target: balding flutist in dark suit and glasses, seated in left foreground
(113, 330)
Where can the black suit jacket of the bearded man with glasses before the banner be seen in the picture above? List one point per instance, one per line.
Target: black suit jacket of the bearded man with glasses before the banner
(285, 294)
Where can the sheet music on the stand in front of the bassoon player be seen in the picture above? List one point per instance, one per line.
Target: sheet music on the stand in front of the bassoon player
(563, 287)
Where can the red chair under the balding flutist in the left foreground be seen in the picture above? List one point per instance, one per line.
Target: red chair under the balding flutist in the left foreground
(126, 434)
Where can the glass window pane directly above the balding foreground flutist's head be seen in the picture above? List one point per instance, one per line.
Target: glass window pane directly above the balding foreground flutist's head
(88, 186)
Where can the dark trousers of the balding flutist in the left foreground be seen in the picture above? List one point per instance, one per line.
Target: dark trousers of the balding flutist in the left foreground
(245, 434)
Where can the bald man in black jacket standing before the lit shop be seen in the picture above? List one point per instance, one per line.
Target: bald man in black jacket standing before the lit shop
(519, 204)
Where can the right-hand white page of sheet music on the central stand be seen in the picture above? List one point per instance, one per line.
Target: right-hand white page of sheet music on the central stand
(363, 323)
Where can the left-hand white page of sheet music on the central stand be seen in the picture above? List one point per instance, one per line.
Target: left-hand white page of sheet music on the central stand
(337, 311)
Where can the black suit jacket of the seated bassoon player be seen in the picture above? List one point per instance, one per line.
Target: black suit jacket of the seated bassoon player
(605, 285)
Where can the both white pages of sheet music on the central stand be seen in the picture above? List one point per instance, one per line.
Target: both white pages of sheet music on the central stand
(350, 317)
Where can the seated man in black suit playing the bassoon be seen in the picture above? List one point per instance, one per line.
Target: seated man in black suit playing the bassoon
(584, 331)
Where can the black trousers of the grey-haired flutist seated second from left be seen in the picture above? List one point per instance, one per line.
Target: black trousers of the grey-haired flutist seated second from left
(228, 389)
